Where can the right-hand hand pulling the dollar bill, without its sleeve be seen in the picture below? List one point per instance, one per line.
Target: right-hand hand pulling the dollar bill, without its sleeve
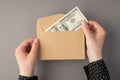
(95, 36)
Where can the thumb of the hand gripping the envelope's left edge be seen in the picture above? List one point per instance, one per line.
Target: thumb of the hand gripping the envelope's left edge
(34, 49)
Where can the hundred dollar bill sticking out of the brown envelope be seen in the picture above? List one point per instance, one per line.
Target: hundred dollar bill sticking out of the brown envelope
(69, 22)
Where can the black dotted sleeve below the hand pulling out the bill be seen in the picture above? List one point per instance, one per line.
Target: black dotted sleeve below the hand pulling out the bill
(97, 71)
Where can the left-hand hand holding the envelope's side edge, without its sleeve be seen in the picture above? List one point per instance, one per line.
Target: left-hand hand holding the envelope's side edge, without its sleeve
(26, 55)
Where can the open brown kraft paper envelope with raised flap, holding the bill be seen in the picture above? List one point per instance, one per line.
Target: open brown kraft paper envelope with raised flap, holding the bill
(63, 45)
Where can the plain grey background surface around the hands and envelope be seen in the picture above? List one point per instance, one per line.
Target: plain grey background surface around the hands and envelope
(18, 22)
